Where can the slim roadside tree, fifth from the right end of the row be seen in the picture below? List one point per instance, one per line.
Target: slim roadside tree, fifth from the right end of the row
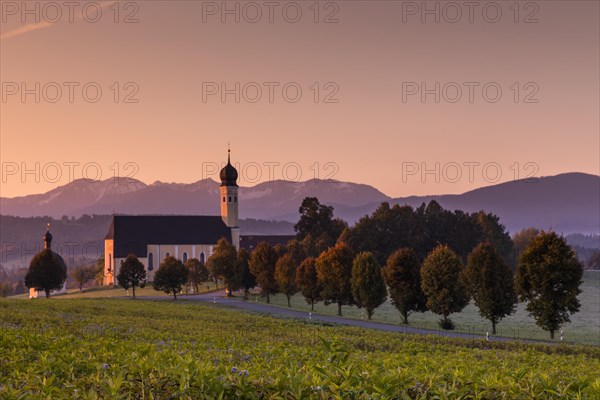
(368, 286)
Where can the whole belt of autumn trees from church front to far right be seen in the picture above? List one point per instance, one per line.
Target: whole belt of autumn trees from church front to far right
(422, 259)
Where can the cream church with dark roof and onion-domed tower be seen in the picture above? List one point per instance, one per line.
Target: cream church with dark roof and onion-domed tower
(153, 237)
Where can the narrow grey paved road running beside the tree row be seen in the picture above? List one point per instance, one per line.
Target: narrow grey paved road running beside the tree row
(220, 298)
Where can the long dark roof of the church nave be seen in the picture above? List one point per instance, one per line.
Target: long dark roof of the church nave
(132, 233)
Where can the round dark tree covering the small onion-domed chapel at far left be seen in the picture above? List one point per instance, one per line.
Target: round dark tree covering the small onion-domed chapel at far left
(47, 272)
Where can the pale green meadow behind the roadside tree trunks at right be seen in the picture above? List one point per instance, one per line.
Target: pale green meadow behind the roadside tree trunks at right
(584, 327)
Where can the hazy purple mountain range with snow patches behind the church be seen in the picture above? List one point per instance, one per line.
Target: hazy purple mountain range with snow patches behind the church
(566, 203)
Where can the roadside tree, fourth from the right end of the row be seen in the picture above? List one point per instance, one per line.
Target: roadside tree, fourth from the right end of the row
(402, 273)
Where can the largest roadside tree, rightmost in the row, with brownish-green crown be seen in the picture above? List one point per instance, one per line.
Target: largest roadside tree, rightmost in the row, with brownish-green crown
(548, 277)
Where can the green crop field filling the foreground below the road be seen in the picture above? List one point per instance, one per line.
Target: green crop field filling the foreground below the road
(125, 349)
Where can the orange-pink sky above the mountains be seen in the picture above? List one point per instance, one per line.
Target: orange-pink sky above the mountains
(360, 118)
